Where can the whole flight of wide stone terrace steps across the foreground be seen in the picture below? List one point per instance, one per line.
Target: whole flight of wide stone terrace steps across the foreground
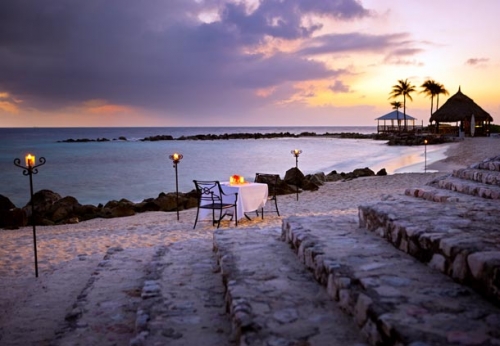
(420, 268)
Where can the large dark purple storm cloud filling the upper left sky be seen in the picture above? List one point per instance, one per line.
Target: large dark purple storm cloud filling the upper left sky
(157, 54)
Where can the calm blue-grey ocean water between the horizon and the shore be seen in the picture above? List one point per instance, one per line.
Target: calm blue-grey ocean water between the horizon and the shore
(97, 172)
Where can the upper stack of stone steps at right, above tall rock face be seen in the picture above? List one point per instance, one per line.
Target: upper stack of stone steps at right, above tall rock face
(452, 230)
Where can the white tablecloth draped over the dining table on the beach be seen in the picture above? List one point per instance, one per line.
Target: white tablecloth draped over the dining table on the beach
(251, 196)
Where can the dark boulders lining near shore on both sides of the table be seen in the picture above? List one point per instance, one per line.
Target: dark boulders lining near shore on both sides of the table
(53, 209)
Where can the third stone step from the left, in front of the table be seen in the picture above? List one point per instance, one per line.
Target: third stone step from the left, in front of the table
(272, 298)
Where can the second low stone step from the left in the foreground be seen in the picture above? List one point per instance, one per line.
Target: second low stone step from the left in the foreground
(183, 298)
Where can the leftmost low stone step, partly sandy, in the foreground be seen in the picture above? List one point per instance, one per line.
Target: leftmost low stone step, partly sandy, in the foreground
(105, 310)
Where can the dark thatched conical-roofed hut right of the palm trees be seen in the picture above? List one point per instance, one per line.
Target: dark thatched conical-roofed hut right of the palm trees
(461, 109)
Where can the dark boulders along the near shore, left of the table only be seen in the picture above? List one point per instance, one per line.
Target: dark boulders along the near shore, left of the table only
(53, 209)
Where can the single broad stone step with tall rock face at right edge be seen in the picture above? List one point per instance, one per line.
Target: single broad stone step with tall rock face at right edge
(461, 239)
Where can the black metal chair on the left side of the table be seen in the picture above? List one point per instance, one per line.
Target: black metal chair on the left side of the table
(211, 196)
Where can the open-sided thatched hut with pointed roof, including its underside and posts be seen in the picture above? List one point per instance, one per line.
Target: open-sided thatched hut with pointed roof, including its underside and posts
(466, 117)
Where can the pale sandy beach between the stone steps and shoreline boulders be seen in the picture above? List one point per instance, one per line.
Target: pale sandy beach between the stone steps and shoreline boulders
(67, 251)
